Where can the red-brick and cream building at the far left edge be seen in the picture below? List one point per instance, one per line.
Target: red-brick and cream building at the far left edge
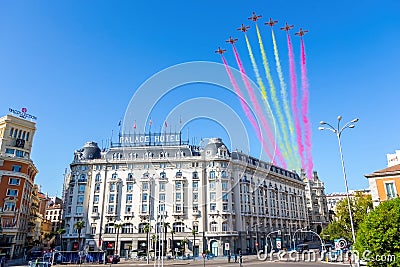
(17, 175)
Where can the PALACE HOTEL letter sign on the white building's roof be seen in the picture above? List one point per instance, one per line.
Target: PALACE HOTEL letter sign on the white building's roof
(150, 139)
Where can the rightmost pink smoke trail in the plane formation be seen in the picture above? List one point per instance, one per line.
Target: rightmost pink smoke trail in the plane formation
(304, 105)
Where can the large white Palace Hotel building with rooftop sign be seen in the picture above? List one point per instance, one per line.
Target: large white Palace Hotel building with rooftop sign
(210, 198)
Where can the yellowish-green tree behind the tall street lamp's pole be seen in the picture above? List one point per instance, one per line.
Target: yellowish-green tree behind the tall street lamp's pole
(341, 228)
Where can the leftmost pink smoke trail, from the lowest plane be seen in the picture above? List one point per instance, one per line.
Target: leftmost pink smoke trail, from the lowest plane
(246, 109)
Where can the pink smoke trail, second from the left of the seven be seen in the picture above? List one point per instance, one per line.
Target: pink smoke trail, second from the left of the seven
(257, 107)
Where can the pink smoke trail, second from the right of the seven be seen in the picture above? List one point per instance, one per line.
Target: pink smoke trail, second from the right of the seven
(293, 89)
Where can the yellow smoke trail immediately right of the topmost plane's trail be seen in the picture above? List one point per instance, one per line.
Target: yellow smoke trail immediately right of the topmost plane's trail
(286, 106)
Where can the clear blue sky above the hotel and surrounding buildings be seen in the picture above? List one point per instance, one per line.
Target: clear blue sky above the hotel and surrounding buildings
(76, 64)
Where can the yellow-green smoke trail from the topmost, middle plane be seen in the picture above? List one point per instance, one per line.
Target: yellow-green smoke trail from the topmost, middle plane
(284, 131)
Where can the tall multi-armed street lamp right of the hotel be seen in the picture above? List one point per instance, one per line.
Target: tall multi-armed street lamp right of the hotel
(338, 132)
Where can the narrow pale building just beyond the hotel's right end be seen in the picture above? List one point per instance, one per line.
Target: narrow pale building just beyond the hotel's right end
(318, 214)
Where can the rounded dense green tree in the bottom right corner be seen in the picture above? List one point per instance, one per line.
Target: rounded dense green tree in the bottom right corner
(378, 235)
